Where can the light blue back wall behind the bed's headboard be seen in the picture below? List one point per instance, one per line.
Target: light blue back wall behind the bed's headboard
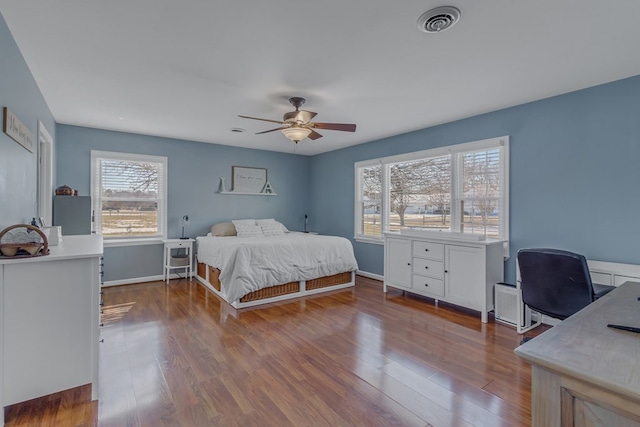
(194, 172)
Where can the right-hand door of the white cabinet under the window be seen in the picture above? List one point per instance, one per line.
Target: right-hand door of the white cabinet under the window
(464, 277)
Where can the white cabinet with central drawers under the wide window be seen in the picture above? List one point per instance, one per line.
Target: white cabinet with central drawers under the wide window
(451, 270)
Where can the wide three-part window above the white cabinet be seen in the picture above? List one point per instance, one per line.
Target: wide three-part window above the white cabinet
(461, 188)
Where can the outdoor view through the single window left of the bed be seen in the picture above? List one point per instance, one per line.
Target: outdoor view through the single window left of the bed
(129, 195)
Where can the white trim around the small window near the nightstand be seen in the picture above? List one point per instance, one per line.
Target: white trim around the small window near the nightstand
(162, 221)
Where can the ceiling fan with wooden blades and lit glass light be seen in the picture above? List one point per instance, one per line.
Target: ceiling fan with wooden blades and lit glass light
(297, 125)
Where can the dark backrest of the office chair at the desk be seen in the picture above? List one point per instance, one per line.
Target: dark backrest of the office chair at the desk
(554, 282)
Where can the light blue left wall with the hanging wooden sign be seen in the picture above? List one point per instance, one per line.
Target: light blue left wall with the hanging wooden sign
(18, 167)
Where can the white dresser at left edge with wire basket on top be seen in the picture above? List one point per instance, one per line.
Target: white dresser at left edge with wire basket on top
(50, 329)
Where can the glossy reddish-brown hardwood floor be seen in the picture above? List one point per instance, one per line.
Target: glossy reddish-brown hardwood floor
(175, 355)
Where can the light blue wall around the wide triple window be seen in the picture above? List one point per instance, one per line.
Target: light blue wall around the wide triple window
(575, 171)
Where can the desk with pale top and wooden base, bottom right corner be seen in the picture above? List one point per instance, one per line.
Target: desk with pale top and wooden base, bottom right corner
(585, 374)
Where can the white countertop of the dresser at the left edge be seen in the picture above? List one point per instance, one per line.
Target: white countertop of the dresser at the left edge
(71, 247)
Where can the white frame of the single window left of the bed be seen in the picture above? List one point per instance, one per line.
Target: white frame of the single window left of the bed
(96, 185)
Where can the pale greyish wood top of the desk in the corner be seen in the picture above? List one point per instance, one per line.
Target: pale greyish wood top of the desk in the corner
(583, 347)
